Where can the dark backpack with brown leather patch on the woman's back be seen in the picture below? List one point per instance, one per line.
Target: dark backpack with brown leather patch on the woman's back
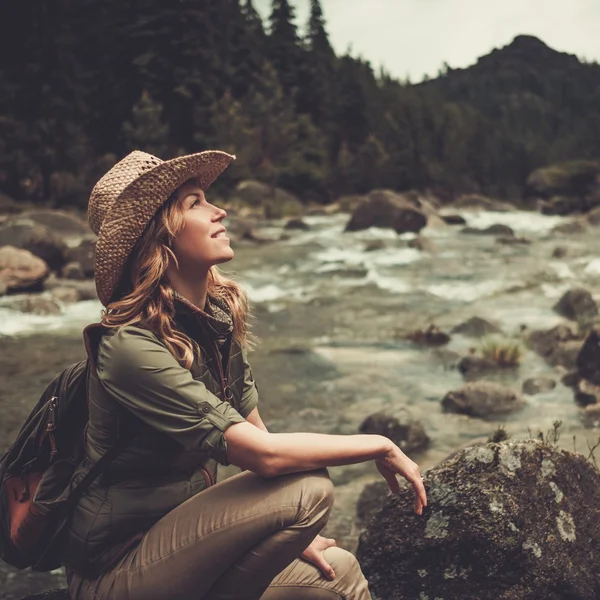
(36, 492)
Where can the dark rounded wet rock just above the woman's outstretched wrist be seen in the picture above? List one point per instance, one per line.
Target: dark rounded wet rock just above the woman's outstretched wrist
(399, 426)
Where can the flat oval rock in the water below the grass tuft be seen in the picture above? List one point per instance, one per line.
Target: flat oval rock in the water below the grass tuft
(483, 399)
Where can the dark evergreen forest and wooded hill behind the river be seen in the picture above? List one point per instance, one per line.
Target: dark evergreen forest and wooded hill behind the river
(83, 82)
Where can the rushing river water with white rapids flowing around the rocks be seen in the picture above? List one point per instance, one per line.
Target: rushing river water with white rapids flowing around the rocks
(333, 308)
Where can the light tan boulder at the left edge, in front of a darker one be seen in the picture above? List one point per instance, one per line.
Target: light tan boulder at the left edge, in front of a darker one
(20, 270)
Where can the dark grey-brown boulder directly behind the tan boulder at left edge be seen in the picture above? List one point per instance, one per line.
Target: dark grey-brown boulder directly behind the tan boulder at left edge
(41, 241)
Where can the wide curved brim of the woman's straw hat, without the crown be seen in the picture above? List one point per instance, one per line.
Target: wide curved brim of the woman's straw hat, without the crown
(135, 207)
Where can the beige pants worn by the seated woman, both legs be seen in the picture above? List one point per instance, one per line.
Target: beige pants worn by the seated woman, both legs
(237, 540)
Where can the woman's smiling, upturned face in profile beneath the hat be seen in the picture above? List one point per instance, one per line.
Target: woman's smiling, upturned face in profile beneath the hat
(202, 241)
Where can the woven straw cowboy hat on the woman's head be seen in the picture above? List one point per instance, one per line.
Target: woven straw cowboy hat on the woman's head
(124, 201)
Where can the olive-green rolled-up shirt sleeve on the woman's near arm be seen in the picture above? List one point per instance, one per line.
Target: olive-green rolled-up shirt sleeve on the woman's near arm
(141, 374)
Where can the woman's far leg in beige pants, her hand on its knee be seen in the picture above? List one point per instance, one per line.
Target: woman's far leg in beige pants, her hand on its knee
(303, 581)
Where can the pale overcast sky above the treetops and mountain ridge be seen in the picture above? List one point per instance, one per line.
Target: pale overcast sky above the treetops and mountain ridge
(410, 38)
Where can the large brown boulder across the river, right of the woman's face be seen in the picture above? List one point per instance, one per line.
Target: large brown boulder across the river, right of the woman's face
(385, 209)
